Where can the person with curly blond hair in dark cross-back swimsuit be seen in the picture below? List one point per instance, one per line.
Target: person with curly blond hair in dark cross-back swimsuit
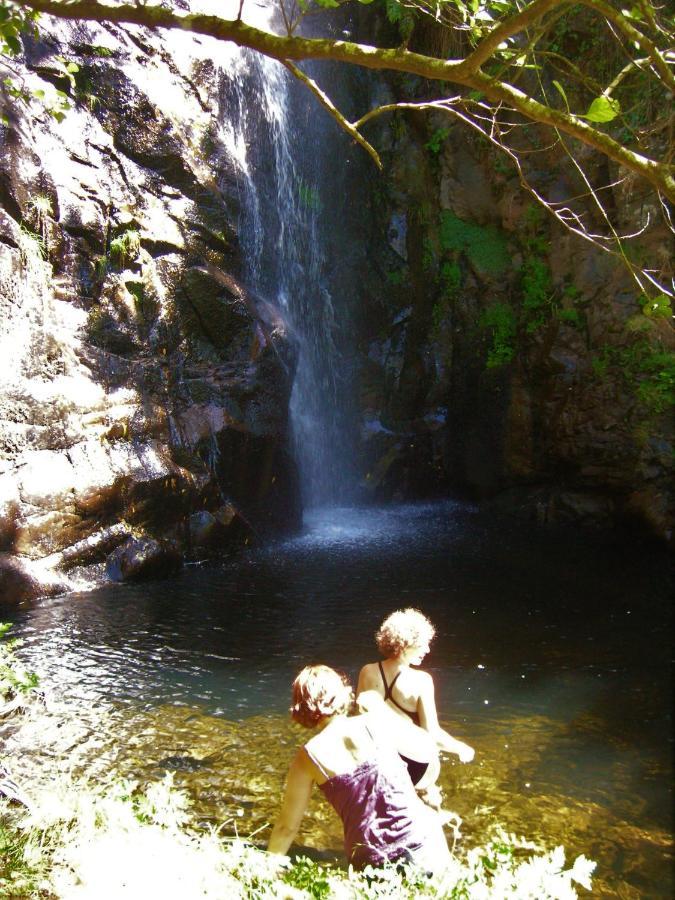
(404, 639)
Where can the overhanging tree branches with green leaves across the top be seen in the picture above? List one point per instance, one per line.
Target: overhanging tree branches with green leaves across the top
(512, 62)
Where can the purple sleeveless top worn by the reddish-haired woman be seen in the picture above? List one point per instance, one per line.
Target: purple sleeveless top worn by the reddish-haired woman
(383, 818)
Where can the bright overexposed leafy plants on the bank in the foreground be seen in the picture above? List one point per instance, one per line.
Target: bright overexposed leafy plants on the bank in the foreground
(75, 836)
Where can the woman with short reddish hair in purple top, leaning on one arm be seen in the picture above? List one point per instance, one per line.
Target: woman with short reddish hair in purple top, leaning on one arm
(355, 762)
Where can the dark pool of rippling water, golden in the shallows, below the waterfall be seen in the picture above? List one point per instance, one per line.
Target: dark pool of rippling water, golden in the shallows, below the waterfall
(551, 658)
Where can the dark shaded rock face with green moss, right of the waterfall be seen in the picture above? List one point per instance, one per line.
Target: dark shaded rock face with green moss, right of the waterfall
(507, 358)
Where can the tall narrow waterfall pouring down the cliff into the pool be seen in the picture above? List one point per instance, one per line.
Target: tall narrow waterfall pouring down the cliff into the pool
(291, 215)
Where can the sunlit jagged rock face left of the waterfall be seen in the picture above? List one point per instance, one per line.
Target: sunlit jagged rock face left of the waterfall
(141, 387)
